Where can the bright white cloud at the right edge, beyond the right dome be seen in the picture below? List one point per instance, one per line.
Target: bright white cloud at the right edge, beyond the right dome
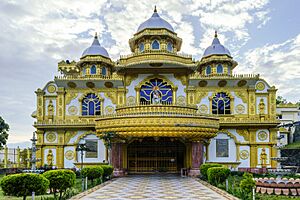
(278, 64)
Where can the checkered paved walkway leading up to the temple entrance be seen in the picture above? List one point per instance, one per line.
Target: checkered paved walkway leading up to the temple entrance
(154, 187)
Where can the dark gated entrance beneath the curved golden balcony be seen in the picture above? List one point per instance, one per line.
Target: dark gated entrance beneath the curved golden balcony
(150, 155)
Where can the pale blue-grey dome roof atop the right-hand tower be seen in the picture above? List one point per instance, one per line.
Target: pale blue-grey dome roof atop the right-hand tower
(216, 48)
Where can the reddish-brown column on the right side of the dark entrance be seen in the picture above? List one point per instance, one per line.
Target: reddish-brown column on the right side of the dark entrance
(197, 158)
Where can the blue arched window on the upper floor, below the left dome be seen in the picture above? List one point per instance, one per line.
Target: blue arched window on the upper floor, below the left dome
(91, 105)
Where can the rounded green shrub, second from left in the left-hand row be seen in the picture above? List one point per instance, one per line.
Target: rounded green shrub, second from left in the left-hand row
(60, 180)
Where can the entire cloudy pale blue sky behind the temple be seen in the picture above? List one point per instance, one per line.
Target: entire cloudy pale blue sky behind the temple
(262, 35)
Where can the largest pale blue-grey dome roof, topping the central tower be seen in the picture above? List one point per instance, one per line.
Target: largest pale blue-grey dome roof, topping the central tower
(155, 22)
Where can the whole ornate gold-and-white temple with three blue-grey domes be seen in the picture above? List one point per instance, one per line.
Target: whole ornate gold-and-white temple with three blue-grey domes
(156, 110)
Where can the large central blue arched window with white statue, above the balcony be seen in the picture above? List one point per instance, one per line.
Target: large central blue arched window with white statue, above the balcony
(156, 91)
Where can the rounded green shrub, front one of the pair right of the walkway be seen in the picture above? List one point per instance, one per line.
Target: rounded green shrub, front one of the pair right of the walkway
(217, 175)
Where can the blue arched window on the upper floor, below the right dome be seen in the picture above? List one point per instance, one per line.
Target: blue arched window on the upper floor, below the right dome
(221, 104)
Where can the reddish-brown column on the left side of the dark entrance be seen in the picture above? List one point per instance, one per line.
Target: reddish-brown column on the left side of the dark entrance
(117, 159)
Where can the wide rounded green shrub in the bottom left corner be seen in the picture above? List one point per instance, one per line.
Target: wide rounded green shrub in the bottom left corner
(24, 184)
